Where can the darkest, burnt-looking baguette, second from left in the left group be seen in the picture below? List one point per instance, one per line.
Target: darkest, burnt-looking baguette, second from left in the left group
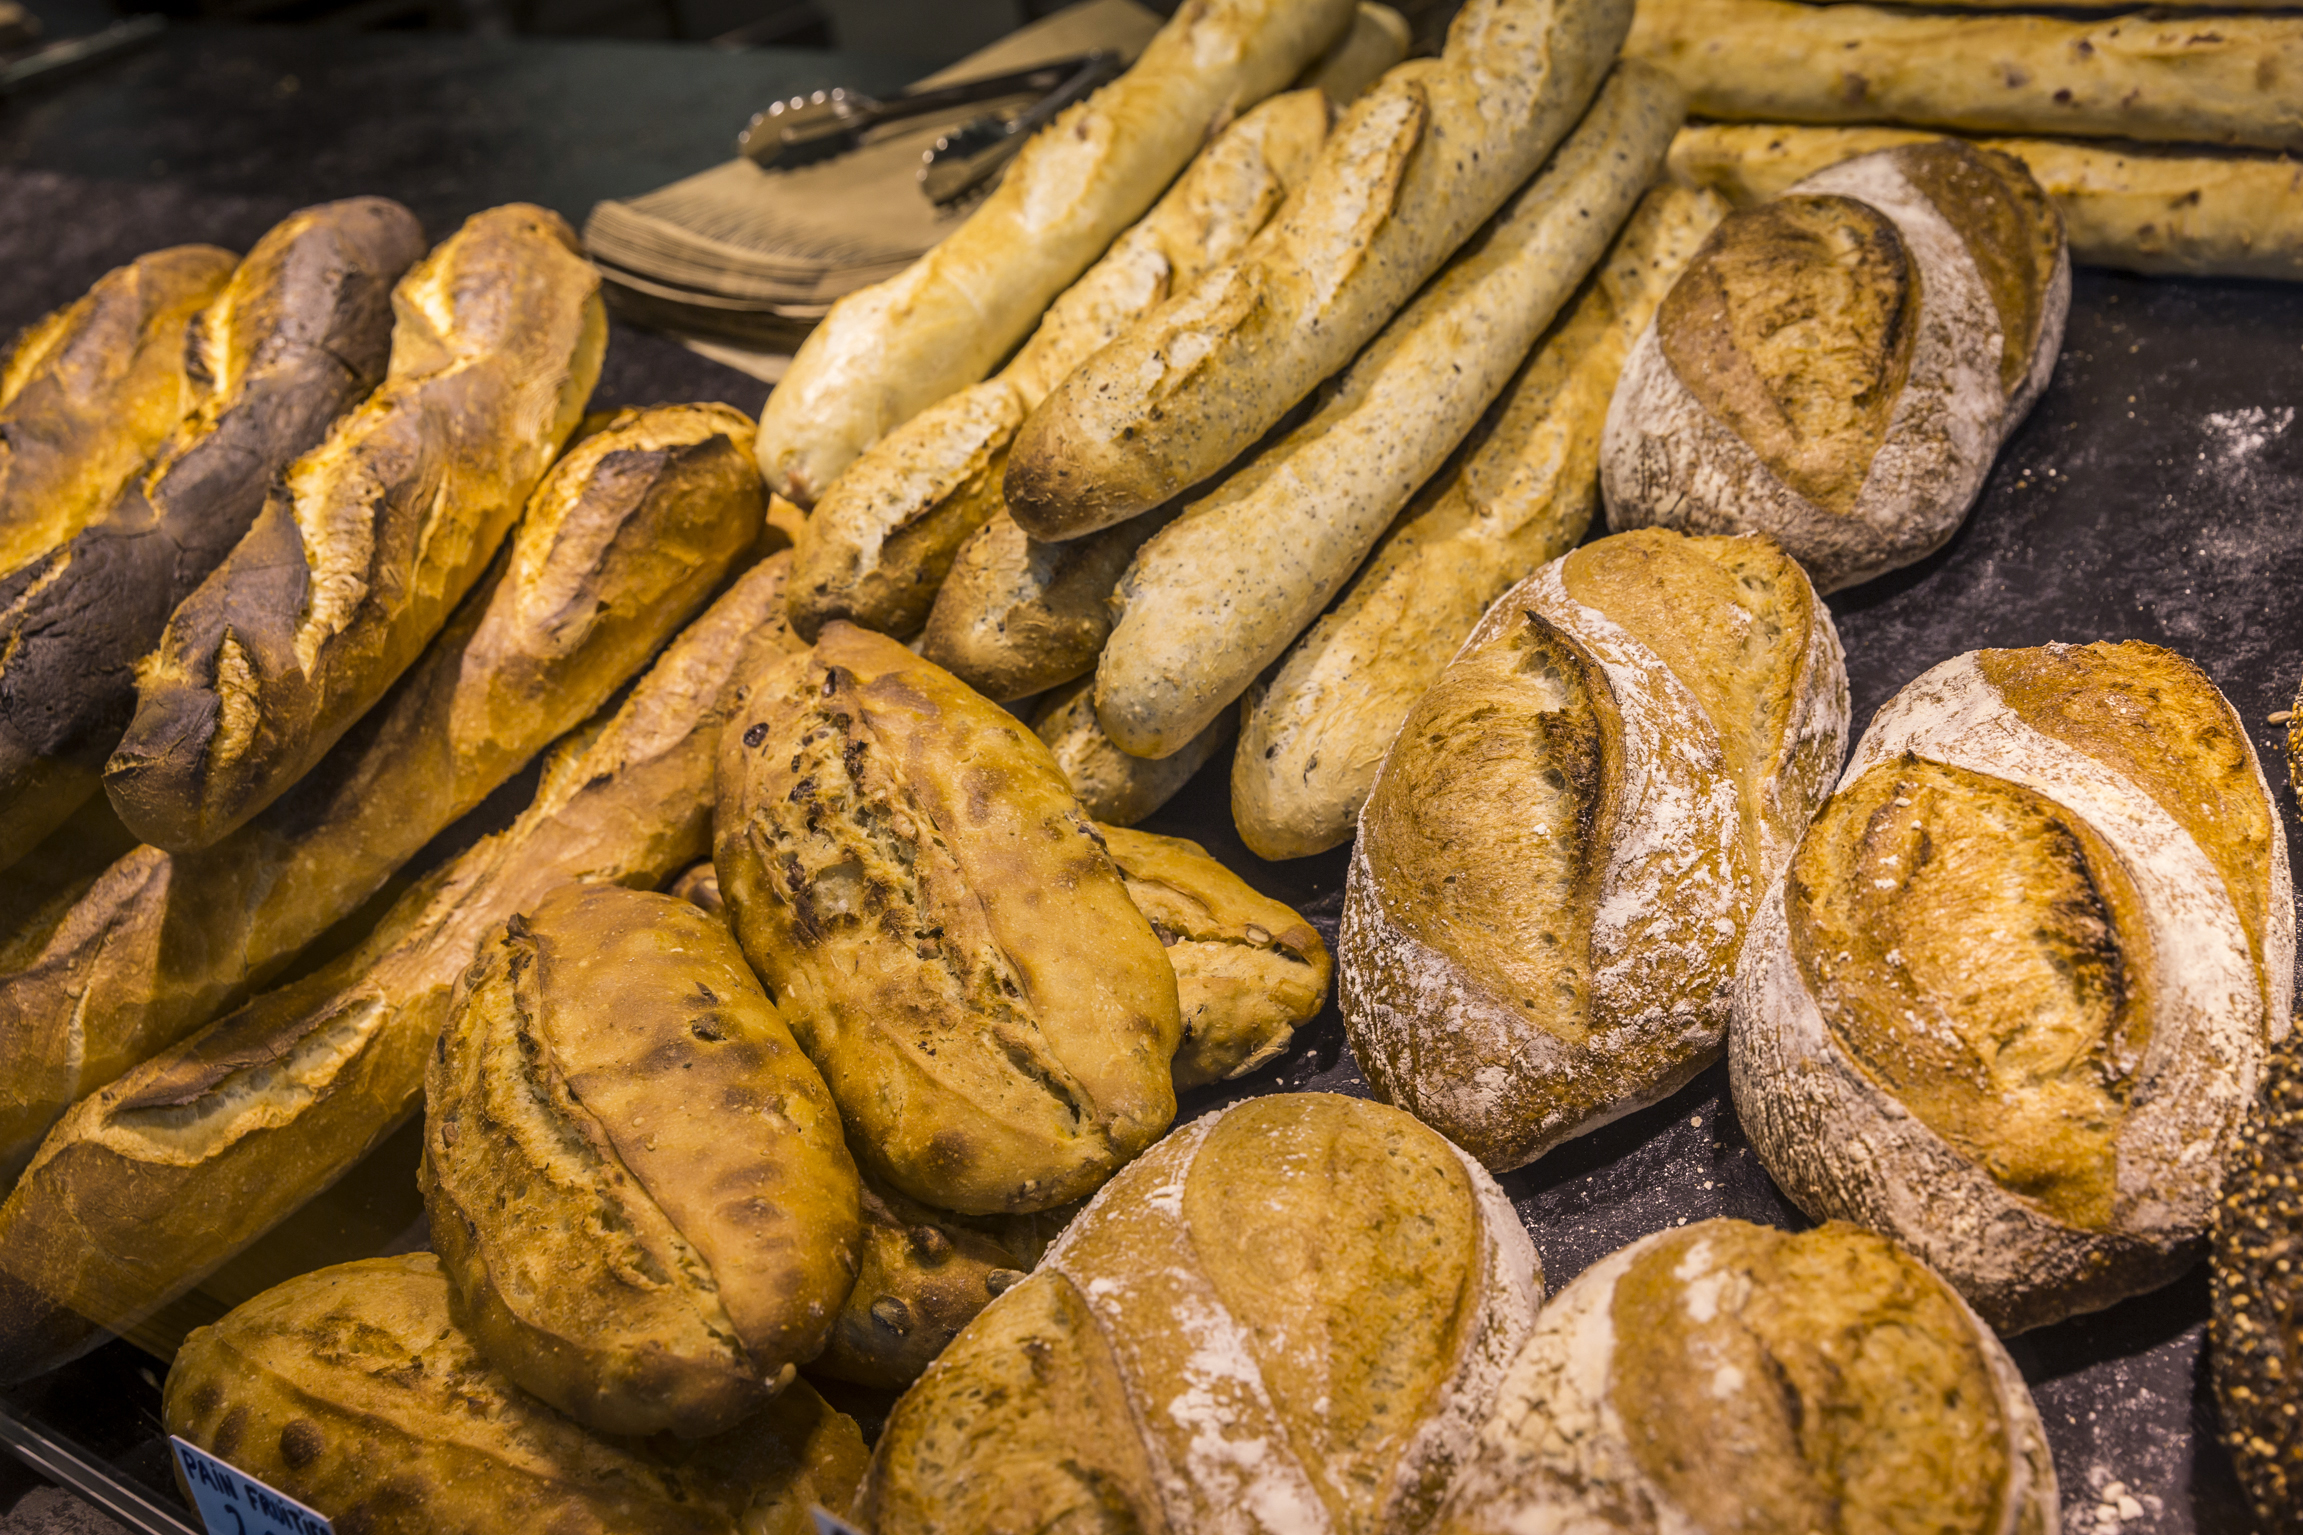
(298, 335)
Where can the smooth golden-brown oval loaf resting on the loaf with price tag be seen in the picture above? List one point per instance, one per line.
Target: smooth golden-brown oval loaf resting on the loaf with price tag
(637, 1184)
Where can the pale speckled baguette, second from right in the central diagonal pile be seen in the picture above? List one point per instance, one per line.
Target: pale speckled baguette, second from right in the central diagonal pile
(1217, 595)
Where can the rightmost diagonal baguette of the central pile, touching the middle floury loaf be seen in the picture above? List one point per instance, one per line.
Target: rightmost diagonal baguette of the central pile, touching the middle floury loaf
(1523, 496)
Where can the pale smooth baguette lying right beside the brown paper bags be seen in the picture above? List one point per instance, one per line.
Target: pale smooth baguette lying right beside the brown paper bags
(895, 349)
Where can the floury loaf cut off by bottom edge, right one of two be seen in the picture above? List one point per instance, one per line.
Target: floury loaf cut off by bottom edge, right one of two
(1733, 1377)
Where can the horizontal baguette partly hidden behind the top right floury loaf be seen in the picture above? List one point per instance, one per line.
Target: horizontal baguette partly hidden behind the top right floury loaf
(2194, 213)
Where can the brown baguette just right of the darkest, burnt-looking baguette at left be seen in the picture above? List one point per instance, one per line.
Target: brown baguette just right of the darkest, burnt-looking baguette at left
(377, 535)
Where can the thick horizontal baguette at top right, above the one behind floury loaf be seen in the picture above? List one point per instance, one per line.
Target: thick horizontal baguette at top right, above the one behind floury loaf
(2131, 77)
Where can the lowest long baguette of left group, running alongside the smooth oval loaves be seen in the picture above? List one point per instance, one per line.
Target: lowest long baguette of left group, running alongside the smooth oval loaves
(160, 1177)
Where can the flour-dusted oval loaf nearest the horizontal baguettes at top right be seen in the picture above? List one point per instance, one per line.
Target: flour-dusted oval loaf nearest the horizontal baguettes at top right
(1839, 367)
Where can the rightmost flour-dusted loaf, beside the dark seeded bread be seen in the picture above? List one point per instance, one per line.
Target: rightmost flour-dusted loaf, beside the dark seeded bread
(2012, 998)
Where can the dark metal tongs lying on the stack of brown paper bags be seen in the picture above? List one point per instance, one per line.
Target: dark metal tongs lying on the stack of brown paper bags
(835, 121)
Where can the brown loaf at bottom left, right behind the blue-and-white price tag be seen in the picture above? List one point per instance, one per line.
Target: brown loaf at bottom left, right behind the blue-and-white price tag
(356, 1393)
